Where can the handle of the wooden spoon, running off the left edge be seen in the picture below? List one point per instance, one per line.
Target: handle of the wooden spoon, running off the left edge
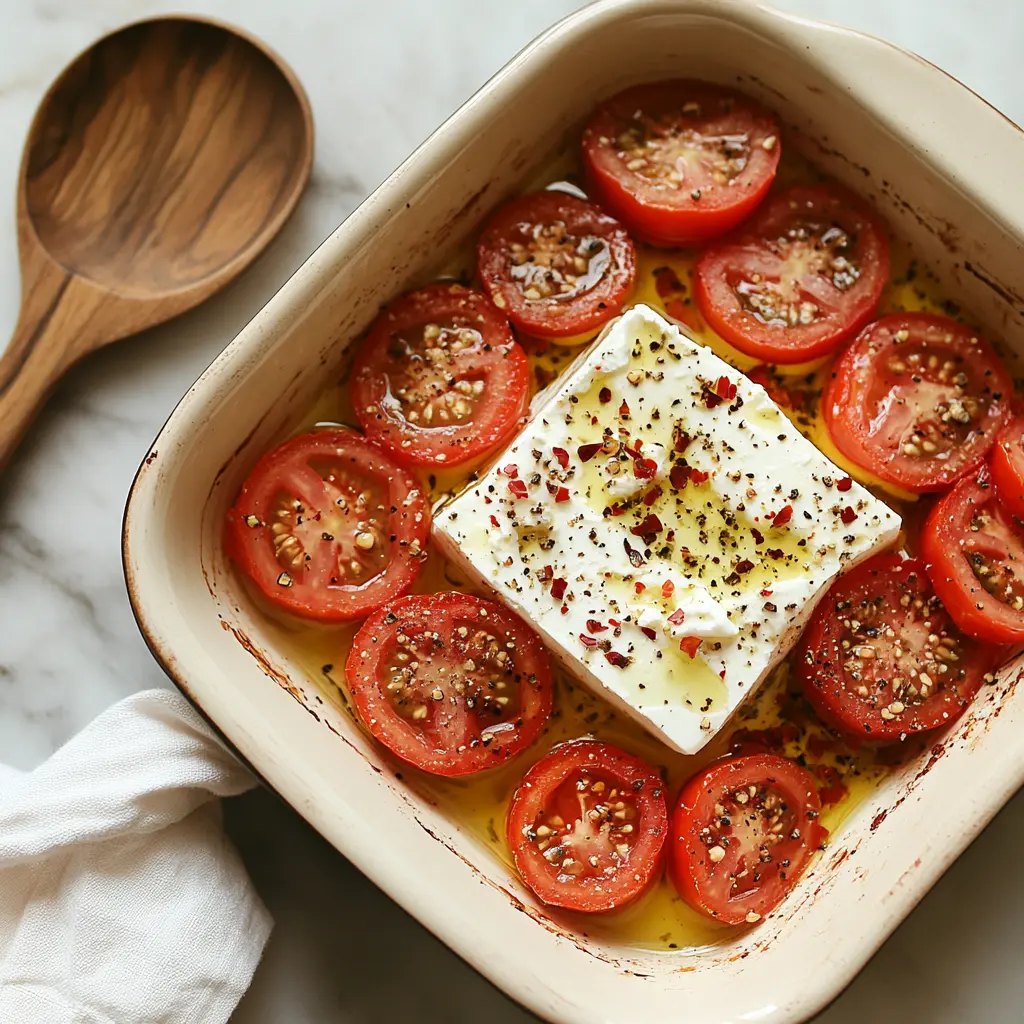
(54, 331)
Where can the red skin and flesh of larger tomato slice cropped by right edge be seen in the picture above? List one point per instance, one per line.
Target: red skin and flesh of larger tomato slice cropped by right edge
(949, 537)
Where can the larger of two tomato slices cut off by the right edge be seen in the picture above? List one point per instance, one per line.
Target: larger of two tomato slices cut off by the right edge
(975, 557)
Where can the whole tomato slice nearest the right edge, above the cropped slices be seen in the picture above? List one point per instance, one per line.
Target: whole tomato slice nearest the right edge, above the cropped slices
(917, 401)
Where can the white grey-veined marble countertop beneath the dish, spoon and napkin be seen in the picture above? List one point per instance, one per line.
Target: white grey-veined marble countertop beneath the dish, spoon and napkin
(381, 75)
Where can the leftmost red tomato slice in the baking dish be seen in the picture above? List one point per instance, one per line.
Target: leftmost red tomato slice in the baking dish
(328, 528)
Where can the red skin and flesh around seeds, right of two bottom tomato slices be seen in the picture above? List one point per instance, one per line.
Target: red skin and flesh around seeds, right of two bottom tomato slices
(700, 879)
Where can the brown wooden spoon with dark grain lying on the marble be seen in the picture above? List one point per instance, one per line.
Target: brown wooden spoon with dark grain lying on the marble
(157, 168)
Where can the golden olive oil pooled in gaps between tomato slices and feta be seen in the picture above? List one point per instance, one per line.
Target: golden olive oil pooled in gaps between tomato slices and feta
(661, 921)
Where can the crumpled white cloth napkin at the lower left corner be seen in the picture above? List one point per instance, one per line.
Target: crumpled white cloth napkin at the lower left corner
(121, 900)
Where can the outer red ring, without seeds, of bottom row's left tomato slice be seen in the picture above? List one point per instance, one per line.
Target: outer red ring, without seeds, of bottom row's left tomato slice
(641, 785)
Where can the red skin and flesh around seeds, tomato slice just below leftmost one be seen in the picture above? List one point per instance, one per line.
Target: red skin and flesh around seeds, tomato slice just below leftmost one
(443, 615)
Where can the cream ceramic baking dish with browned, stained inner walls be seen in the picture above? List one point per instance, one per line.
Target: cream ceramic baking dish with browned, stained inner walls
(942, 165)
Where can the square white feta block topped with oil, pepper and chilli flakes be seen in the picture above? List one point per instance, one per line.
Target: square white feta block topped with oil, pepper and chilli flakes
(664, 527)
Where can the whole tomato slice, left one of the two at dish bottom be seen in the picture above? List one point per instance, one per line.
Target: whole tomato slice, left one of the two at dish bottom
(587, 827)
